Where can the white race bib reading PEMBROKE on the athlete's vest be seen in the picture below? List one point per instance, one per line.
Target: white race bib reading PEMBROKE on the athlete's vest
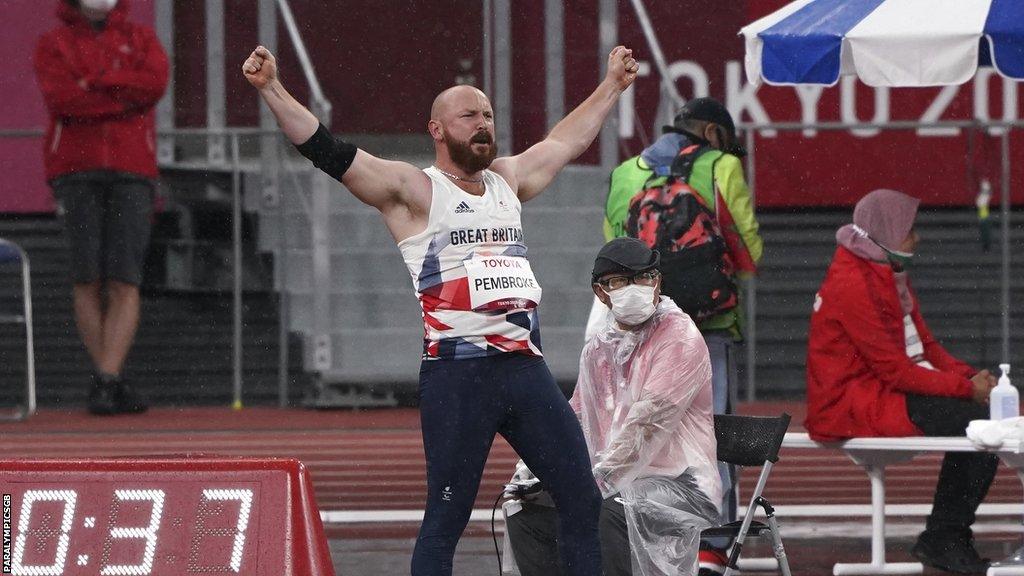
(502, 283)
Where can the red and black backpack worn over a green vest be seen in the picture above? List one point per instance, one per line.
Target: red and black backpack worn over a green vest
(697, 269)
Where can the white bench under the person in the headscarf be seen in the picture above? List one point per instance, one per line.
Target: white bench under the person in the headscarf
(874, 455)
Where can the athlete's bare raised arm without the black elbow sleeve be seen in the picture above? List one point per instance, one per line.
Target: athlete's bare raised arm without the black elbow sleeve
(534, 170)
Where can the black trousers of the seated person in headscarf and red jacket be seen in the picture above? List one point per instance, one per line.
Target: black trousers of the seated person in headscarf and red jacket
(965, 477)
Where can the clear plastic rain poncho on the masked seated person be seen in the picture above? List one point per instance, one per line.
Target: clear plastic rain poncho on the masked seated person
(645, 401)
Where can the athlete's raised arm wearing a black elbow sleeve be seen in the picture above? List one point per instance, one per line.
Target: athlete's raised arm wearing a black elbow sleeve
(397, 189)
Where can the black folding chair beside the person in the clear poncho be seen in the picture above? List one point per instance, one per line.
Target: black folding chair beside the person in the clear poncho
(751, 441)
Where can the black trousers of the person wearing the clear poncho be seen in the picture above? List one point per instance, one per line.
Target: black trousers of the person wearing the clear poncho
(533, 534)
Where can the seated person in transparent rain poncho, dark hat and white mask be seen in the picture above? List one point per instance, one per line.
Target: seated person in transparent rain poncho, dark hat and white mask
(645, 400)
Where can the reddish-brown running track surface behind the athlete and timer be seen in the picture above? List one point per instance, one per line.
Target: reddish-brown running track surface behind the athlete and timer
(373, 461)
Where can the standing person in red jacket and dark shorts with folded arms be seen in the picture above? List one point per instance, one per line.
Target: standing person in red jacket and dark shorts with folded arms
(101, 77)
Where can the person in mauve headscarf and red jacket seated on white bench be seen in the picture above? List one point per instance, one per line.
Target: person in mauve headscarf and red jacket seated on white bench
(874, 369)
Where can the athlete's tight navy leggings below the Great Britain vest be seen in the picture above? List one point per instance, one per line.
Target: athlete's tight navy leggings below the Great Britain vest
(463, 404)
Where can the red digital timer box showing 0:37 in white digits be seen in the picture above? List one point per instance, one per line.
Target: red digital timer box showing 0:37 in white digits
(160, 518)
